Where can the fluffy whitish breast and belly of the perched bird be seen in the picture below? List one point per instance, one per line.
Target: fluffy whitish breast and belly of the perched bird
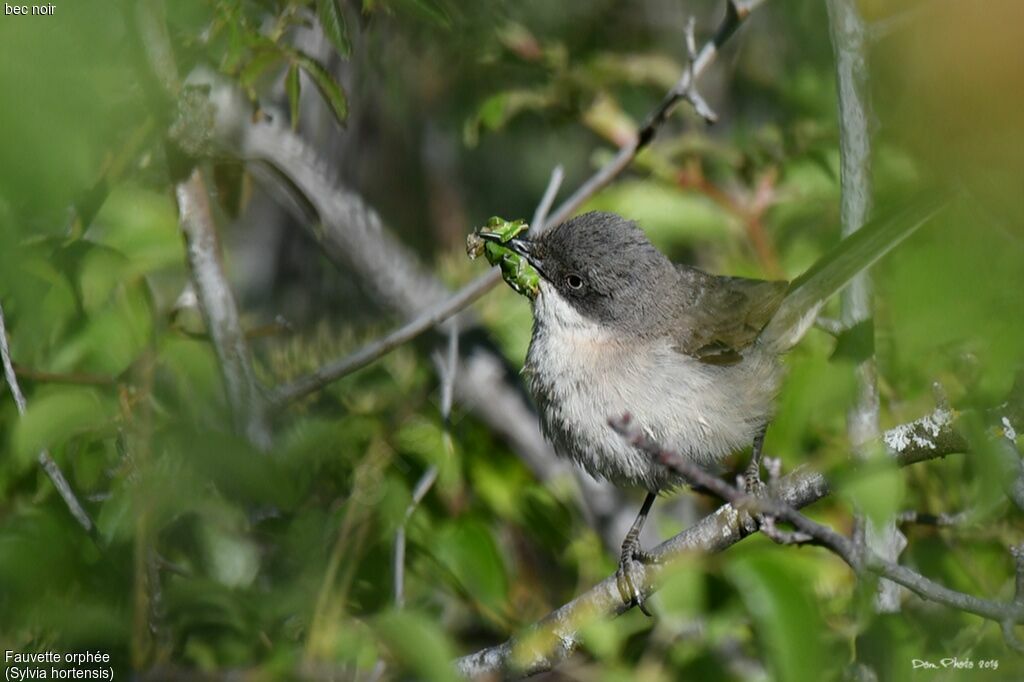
(582, 374)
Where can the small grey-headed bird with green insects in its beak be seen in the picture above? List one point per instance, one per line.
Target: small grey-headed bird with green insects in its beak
(694, 358)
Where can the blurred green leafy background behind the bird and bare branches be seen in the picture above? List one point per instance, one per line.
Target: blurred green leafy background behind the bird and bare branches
(216, 558)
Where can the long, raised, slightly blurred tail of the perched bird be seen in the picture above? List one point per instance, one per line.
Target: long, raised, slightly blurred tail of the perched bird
(834, 271)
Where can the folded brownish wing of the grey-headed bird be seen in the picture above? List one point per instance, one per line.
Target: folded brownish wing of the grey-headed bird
(724, 316)
